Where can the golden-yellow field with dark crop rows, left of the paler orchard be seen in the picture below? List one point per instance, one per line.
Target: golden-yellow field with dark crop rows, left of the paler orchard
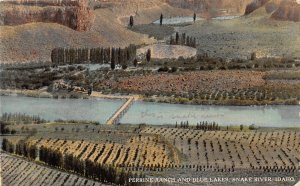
(142, 151)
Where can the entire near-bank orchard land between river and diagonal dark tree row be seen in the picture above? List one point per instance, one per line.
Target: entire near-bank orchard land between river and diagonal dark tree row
(166, 146)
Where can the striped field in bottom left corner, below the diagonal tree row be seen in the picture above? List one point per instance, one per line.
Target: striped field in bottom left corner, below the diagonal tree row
(16, 171)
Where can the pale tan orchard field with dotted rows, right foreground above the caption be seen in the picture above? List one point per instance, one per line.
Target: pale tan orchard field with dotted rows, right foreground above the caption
(226, 150)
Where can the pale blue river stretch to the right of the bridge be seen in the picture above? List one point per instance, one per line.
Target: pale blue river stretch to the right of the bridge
(154, 113)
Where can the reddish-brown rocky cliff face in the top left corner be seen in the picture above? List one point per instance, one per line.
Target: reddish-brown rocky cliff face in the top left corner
(74, 14)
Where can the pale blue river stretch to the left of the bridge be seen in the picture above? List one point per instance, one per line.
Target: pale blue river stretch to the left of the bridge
(66, 109)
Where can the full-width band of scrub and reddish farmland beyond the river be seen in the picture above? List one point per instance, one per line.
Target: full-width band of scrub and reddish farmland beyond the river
(170, 83)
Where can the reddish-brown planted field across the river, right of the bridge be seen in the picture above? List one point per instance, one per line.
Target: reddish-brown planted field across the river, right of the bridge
(233, 87)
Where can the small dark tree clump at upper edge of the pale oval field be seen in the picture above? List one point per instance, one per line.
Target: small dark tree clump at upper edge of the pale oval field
(183, 39)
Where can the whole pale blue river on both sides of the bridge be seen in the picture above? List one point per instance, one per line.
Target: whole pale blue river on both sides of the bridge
(152, 113)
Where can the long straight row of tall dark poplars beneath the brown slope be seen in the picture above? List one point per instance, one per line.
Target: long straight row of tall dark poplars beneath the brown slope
(122, 56)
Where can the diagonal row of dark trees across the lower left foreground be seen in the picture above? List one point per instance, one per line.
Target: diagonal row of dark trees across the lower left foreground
(55, 158)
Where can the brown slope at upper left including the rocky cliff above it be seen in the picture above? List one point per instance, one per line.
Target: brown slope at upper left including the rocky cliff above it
(34, 40)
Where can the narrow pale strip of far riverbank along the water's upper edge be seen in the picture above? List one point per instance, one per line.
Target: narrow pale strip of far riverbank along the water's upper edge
(156, 99)
